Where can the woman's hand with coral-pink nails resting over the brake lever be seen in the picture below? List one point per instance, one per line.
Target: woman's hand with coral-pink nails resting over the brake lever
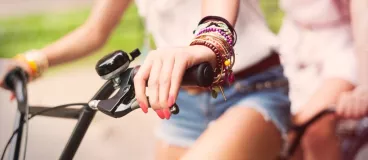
(164, 69)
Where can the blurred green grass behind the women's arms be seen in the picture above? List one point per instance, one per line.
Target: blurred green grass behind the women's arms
(21, 33)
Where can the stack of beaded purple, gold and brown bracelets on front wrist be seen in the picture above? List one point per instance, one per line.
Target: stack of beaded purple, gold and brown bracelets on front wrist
(217, 34)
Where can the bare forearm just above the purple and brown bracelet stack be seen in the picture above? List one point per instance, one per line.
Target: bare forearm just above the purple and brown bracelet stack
(227, 9)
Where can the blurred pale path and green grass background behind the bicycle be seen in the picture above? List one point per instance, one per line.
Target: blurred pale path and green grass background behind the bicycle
(32, 24)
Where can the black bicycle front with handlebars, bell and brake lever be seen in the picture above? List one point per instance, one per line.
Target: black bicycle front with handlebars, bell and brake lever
(114, 68)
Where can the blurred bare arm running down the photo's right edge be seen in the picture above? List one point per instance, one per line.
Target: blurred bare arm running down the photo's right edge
(359, 22)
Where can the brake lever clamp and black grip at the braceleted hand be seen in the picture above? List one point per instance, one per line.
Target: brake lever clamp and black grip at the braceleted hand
(123, 102)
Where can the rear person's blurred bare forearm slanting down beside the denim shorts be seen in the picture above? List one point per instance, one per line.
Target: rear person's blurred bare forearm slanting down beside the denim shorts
(324, 97)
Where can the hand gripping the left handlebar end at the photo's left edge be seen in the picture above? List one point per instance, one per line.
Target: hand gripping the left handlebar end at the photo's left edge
(6, 65)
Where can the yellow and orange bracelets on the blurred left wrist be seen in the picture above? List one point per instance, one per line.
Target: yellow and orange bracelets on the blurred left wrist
(36, 61)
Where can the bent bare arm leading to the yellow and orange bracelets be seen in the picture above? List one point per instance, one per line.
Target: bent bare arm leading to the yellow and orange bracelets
(90, 36)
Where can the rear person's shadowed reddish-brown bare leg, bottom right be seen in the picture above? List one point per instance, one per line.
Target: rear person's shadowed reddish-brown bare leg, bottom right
(320, 141)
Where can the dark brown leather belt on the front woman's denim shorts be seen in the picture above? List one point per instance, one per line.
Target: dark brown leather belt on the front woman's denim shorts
(272, 60)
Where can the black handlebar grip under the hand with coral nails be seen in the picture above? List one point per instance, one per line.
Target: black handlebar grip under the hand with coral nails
(200, 75)
